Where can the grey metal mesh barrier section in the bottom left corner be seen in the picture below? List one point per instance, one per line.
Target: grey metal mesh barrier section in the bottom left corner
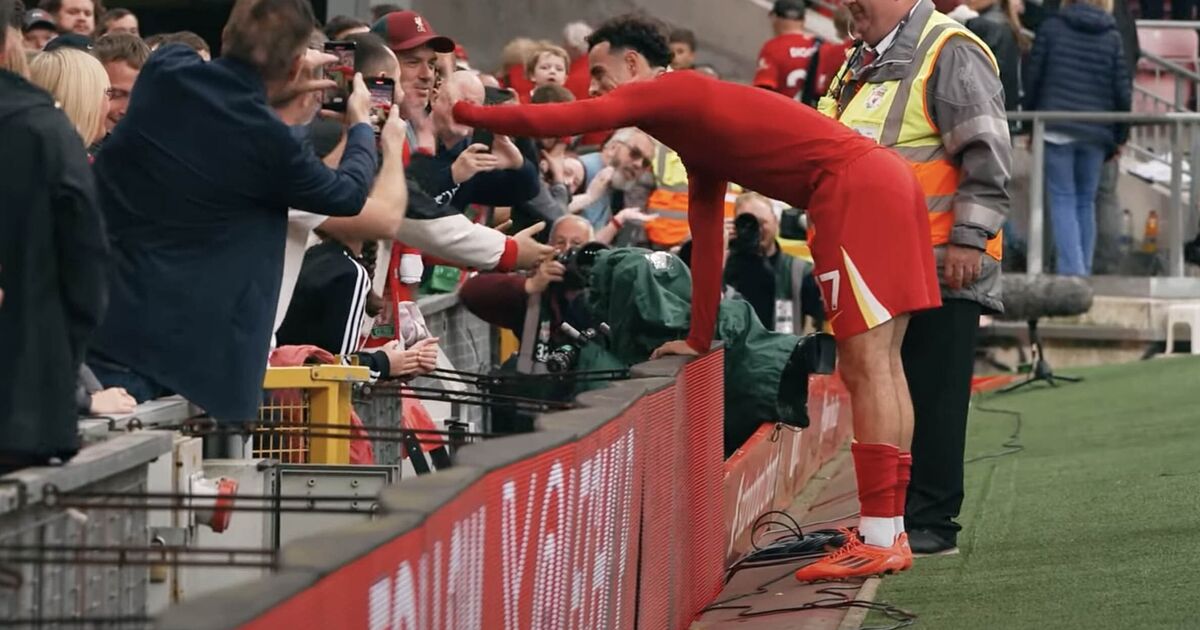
(39, 592)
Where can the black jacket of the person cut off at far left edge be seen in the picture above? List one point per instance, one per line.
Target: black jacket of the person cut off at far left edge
(52, 262)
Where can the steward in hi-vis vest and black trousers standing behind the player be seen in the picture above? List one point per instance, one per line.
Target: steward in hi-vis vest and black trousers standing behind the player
(931, 91)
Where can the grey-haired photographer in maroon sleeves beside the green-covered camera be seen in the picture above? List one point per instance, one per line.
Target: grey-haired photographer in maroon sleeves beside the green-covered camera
(506, 299)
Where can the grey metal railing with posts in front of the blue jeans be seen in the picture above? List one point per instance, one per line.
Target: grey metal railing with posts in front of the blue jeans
(1185, 146)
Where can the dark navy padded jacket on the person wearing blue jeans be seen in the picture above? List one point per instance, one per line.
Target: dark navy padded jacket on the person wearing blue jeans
(1078, 64)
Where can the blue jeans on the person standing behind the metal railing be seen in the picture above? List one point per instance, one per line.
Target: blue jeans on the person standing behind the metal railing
(1073, 176)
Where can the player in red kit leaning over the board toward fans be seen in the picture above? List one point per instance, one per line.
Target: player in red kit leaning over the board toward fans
(869, 235)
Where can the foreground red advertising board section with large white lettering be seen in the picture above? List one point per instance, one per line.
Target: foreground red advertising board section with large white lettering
(548, 543)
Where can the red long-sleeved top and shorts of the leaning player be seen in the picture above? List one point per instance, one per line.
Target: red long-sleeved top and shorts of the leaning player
(875, 251)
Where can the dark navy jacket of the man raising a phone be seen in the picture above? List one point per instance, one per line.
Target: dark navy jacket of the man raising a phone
(196, 184)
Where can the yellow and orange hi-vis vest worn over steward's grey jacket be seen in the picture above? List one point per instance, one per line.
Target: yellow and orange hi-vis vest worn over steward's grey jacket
(896, 115)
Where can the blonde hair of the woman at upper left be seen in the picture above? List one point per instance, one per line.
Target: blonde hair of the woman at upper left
(80, 86)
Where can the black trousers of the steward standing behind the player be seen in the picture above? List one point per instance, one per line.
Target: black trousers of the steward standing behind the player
(939, 361)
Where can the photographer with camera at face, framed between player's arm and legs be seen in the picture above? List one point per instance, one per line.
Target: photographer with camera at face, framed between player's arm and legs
(759, 271)
